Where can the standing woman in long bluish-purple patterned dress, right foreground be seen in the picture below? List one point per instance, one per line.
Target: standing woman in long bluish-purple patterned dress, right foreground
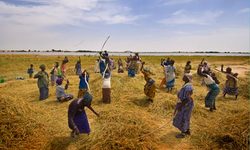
(184, 107)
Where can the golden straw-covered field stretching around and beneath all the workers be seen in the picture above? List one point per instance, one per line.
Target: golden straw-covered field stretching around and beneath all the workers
(129, 122)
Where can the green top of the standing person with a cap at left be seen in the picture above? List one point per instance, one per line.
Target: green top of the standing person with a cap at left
(43, 79)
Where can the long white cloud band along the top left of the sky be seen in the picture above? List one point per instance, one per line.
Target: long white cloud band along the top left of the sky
(61, 12)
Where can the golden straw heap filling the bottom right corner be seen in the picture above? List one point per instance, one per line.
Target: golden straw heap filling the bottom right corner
(225, 133)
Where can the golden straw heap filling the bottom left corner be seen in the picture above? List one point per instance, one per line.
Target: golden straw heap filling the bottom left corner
(18, 131)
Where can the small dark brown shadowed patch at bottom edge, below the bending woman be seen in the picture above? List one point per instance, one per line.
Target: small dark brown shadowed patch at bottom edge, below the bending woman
(60, 143)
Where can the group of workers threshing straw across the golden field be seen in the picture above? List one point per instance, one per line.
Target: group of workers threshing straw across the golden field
(77, 118)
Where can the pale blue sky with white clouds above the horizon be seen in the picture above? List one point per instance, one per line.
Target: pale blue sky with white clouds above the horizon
(135, 25)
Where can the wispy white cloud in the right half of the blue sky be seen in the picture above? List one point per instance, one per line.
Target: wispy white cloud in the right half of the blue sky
(181, 17)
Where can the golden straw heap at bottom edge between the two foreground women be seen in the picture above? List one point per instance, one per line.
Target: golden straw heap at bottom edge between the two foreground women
(122, 129)
